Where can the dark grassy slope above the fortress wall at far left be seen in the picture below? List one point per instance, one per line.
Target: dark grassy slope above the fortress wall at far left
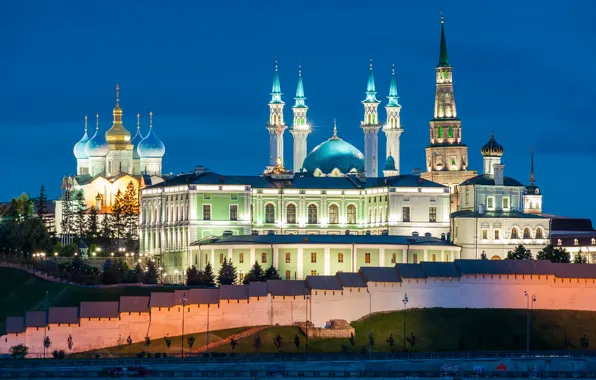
(23, 292)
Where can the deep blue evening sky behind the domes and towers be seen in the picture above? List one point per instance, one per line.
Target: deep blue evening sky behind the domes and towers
(523, 69)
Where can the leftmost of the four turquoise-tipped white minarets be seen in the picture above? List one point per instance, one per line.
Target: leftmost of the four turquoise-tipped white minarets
(276, 125)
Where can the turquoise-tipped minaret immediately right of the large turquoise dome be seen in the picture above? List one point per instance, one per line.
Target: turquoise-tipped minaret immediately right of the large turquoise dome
(370, 126)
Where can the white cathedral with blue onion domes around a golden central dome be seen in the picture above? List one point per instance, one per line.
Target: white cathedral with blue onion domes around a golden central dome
(108, 161)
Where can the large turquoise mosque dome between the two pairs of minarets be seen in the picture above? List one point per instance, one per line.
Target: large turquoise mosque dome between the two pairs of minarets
(334, 153)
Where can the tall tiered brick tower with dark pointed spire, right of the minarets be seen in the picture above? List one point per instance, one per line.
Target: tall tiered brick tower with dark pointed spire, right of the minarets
(446, 156)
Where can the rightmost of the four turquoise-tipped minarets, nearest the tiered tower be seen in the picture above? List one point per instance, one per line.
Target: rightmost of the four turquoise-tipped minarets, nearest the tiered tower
(393, 127)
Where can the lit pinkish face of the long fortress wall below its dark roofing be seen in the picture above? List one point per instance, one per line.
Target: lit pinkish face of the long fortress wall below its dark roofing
(351, 303)
